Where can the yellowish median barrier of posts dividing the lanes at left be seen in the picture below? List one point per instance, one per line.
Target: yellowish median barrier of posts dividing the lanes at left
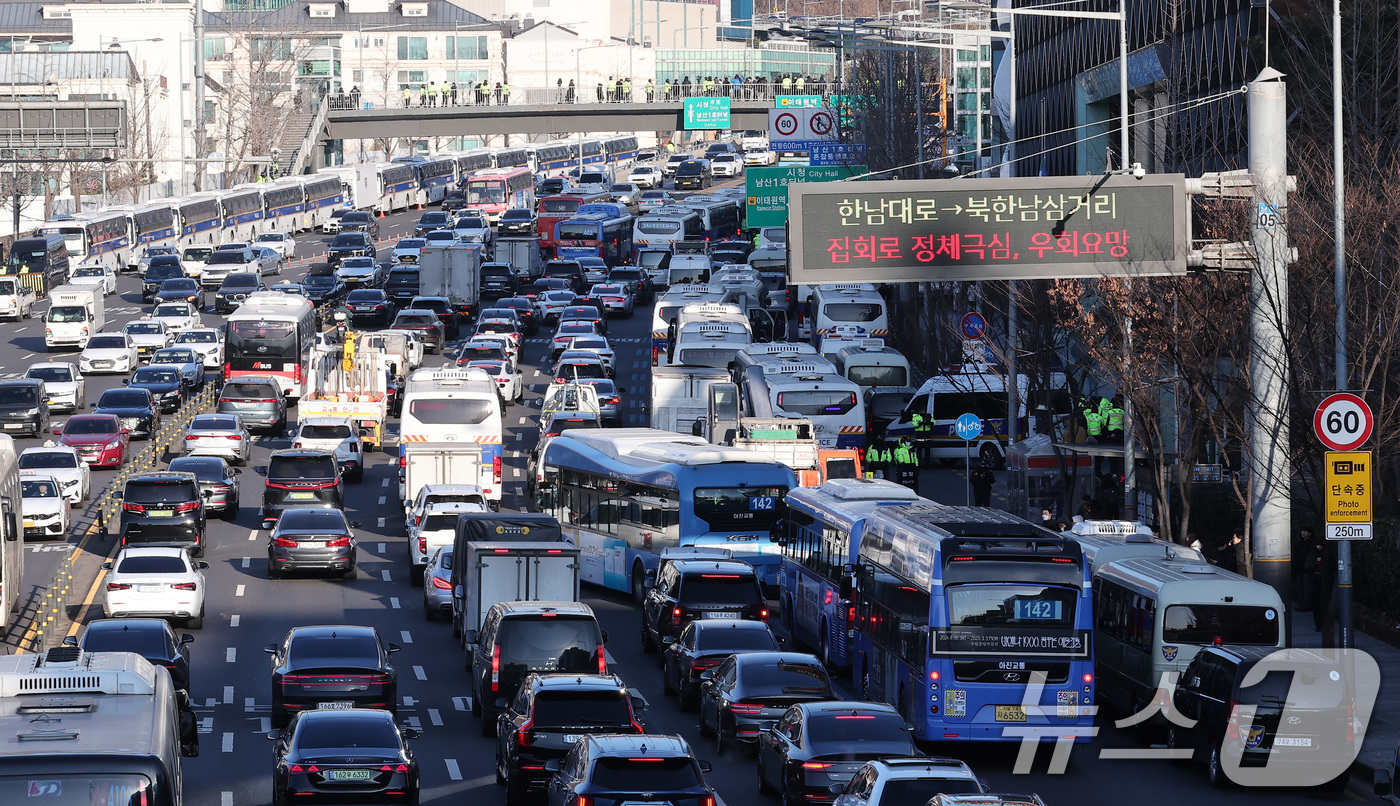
(52, 622)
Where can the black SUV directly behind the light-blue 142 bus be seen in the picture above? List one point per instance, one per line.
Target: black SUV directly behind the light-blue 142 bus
(695, 590)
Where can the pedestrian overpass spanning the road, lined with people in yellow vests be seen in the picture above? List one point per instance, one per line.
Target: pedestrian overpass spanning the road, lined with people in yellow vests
(421, 122)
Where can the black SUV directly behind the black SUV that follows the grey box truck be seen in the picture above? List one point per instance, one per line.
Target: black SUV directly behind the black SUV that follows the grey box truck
(549, 716)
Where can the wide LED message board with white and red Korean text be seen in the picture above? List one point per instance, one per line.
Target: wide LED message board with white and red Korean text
(1013, 229)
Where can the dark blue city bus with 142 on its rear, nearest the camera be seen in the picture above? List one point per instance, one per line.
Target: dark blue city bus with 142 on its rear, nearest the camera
(960, 611)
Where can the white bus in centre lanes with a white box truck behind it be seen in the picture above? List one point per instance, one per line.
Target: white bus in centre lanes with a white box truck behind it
(457, 405)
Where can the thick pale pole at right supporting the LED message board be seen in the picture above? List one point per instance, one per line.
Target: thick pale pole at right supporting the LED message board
(1268, 415)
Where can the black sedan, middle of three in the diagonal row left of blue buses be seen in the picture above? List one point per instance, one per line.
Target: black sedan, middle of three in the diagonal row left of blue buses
(747, 692)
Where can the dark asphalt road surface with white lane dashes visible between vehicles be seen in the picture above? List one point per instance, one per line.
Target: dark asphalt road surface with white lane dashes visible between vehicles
(247, 612)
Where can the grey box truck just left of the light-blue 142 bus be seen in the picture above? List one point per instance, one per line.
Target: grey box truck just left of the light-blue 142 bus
(513, 572)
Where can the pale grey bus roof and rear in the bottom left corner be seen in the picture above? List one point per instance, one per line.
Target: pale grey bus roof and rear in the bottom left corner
(93, 728)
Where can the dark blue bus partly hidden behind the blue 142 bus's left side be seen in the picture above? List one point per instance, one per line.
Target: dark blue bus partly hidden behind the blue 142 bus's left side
(821, 538)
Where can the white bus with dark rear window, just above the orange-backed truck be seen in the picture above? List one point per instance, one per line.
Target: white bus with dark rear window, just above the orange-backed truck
(787, 390)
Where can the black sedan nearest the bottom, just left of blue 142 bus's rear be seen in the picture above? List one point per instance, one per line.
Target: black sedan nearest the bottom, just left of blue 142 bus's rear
(817, 748)
